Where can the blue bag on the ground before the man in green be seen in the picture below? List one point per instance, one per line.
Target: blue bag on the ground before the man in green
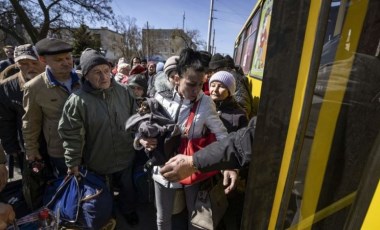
(84, 201)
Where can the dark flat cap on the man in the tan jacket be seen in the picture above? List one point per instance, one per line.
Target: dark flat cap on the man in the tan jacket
(52, 46)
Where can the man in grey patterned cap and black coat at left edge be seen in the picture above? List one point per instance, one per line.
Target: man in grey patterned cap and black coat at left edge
(11, 97)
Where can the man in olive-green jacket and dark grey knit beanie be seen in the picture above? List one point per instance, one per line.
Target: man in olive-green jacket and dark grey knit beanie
(92, 127)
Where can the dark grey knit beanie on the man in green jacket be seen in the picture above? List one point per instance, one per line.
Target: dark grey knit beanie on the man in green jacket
(91, 58)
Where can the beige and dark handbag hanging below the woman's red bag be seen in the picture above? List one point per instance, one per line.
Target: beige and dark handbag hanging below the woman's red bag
(210, 206)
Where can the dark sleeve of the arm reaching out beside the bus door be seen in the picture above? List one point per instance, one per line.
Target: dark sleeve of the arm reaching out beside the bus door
(234, 151)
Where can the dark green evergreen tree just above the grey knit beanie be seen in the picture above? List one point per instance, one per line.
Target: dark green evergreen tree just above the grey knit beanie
(84, 39)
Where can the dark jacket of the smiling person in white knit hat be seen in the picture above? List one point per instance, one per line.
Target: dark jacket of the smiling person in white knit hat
(231, 114)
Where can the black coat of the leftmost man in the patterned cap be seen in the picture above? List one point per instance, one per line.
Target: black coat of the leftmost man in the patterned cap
(11, 112)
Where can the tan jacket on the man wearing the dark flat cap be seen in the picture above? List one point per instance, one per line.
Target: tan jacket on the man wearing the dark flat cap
(43, 102)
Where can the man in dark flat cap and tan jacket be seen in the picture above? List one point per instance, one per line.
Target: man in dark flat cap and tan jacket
(44, 97)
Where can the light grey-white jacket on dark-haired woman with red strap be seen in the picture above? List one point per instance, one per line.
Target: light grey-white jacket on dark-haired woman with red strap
(205, 115)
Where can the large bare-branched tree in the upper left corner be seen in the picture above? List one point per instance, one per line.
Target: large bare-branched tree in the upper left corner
(38, 18)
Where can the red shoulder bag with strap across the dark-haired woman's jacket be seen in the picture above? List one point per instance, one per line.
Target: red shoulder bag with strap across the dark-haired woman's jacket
(190, 146)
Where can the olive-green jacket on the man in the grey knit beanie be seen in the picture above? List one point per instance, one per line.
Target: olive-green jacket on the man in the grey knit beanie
(92, 128)
